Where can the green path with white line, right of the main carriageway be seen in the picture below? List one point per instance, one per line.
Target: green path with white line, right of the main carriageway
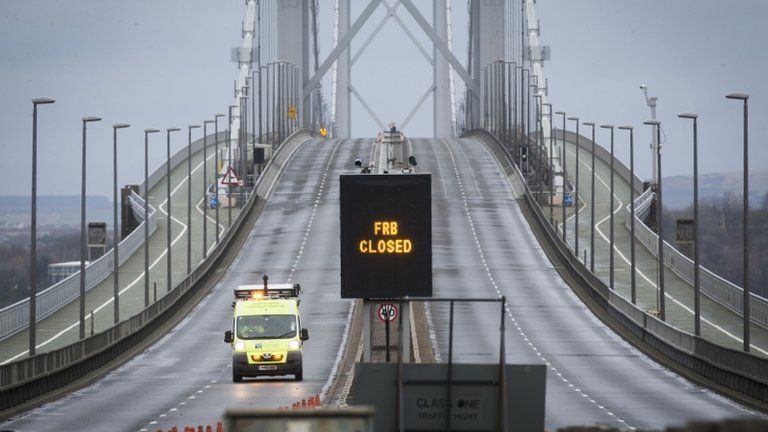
(718, 324)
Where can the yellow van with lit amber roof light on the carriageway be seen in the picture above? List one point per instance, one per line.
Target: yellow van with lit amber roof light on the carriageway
(266, 336)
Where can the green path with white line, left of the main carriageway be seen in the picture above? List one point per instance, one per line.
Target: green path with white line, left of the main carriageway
(62, 327)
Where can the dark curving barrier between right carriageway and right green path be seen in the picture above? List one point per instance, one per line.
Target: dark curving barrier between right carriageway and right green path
(744, 373)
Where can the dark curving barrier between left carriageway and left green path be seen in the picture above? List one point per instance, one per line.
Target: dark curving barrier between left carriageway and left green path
(30, 377)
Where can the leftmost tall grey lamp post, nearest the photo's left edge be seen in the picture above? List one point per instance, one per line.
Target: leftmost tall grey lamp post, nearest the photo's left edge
(33, 229)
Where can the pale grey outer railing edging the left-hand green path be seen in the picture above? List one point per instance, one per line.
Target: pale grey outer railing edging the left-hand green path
(15, 318)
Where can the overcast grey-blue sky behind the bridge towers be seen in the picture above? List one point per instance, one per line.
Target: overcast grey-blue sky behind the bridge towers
(167, 63)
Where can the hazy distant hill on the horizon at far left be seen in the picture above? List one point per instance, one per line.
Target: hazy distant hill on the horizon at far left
(53, 210)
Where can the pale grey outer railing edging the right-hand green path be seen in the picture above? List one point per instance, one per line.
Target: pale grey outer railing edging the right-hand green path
(713, 286)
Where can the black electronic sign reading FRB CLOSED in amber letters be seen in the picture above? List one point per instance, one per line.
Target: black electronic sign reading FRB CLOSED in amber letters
(386, 236)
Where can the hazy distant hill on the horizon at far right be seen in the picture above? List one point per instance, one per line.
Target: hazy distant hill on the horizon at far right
(678, 190)
